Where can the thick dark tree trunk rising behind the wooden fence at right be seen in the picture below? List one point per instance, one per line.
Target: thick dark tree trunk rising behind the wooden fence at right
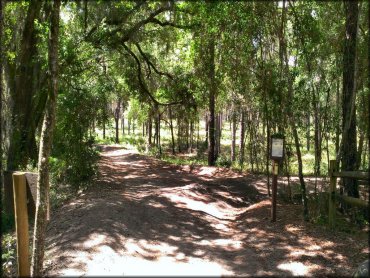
(349, 133)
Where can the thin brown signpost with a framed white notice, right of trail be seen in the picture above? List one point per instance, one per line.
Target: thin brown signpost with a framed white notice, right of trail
(276, 154)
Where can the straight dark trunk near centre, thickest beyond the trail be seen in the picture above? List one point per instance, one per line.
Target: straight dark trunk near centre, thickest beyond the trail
(212, 97)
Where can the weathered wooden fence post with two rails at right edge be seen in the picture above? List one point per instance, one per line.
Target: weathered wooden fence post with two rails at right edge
(333, 175)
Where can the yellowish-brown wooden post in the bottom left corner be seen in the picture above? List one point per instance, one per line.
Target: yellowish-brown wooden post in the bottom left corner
(21, 223)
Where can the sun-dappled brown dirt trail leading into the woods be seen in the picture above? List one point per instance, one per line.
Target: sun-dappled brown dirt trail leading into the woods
(145, 217)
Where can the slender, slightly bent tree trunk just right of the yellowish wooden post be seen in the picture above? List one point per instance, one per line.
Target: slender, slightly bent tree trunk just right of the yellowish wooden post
(45, 148)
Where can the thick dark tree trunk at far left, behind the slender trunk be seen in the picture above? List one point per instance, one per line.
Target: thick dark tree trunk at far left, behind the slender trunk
(25, 97)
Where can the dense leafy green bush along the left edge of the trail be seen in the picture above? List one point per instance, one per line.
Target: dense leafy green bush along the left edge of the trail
(74, 154)
